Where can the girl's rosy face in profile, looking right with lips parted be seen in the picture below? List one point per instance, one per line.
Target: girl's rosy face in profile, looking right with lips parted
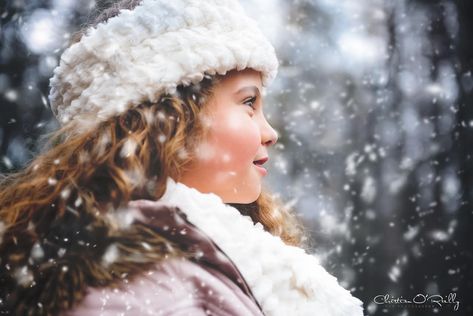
(237, 135)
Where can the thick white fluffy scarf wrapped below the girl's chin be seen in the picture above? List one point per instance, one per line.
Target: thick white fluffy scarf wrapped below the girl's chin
(284, 279)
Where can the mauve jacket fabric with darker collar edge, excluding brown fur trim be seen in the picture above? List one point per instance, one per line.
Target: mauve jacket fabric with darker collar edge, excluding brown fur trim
(178, 286)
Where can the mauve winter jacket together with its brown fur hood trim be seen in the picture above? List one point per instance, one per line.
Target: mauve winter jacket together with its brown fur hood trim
(97, 262)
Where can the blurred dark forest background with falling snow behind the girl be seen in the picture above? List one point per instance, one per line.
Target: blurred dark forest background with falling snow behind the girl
(374, 106)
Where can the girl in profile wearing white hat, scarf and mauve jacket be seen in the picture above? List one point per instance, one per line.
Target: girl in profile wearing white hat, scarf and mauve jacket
(149, 199)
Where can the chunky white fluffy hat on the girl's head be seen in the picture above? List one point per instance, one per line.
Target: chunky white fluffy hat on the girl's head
(141, 53)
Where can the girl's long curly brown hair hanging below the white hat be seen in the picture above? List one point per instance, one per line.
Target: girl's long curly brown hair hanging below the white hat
(126, 157)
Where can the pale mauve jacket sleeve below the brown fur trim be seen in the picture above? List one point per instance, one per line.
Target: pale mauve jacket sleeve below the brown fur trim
(176, 287)
